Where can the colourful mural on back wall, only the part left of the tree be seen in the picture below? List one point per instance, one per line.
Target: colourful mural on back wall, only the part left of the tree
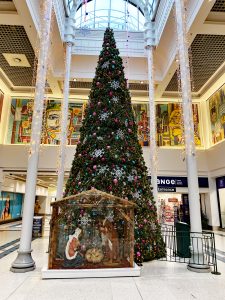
(20, 121)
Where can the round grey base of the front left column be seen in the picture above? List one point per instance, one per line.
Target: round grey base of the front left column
(23, 263)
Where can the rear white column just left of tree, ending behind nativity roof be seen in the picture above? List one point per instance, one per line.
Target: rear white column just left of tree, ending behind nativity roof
(69, 37)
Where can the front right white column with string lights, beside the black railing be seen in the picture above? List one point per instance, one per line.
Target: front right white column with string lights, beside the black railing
(191, 163)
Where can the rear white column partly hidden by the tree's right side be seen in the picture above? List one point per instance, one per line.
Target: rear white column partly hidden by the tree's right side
(149, 39)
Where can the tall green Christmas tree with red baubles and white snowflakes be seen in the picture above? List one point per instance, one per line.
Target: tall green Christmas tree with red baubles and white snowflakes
(108, 156)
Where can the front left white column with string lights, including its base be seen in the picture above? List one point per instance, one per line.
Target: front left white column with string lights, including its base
(24, 261)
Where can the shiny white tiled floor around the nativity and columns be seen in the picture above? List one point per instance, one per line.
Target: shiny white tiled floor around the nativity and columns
(159, 280)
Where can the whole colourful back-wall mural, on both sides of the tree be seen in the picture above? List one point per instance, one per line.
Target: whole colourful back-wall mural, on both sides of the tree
(169, 123)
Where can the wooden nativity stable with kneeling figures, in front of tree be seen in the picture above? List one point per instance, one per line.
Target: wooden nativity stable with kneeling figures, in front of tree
(92, 230)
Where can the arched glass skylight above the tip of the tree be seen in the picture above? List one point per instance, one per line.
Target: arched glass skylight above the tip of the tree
(118, 14)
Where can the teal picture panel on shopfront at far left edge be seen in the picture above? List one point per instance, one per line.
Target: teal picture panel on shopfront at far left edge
(10, 206)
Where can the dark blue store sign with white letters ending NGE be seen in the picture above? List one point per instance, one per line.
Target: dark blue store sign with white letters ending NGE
(182, 182)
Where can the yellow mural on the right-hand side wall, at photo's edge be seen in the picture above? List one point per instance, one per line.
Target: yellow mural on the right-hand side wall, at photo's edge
(216, 104)
